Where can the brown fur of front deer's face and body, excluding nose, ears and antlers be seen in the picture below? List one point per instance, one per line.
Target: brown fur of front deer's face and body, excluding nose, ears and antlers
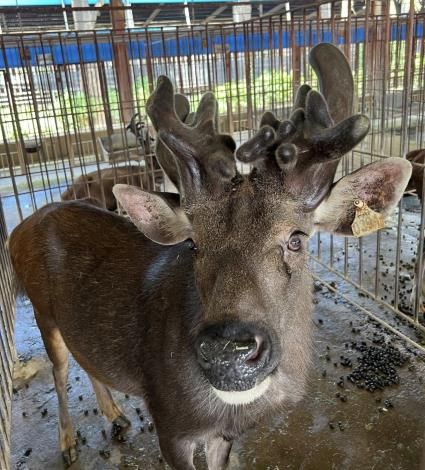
(129, 319)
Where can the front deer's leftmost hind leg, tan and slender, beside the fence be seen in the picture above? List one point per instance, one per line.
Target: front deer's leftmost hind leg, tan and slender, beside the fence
(58, 354)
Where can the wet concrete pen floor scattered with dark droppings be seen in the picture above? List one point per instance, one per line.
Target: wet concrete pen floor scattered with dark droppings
(322, 432)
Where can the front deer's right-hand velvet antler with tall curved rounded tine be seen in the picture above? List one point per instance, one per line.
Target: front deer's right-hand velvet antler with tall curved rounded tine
(308, 146)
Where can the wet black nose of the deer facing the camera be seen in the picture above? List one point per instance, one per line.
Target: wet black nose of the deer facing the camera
(235, 356)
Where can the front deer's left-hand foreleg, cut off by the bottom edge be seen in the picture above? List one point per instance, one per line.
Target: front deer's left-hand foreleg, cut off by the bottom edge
(178, 453)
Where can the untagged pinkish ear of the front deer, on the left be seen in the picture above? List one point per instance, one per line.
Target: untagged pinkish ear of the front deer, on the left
(157, 215)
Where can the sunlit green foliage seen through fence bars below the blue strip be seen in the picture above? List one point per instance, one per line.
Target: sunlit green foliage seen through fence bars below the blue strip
(71, 111)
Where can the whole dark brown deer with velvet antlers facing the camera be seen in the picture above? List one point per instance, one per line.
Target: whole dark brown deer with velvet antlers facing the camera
(200, 303)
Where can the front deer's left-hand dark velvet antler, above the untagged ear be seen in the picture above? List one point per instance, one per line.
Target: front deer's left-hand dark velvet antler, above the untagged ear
(204, 159)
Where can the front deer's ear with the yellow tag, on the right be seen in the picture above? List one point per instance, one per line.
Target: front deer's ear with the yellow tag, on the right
(377, 186)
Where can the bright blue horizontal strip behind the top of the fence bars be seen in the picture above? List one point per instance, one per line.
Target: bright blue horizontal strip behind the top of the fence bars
(87, 52)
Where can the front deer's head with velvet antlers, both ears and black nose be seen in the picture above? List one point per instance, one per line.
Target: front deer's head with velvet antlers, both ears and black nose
(247, 236)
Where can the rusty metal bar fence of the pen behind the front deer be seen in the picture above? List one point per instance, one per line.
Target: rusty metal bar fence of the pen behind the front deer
(67, 98)
